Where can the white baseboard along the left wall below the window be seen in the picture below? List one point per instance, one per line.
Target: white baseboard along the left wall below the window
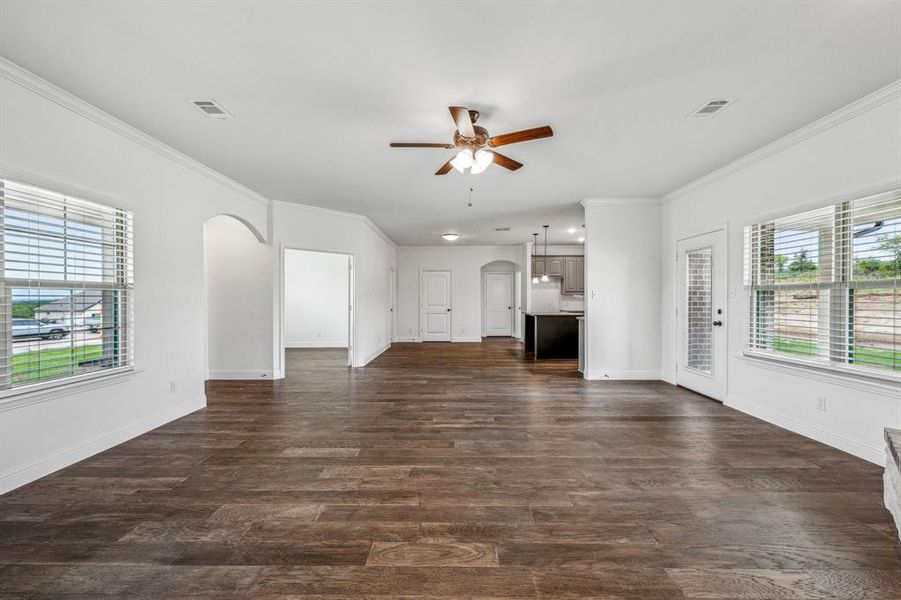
(71, 455)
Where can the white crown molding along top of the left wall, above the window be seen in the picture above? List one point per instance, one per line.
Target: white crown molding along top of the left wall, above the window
(31, 82)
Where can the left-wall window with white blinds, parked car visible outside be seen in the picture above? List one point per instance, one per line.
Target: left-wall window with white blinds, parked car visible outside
(65, 295)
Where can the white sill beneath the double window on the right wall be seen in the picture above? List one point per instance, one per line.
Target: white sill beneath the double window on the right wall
(874, 382)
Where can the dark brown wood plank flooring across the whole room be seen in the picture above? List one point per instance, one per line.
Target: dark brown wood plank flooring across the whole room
(454, 470)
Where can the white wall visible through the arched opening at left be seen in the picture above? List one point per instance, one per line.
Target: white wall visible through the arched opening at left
(238, 271)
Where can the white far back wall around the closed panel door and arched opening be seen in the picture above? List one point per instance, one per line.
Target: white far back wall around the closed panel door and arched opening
(465, 263)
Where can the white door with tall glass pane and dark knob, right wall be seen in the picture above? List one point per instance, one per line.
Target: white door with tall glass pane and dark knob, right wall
(701, 314)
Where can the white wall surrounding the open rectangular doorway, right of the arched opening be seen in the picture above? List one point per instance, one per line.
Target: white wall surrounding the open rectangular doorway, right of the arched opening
(302, 227)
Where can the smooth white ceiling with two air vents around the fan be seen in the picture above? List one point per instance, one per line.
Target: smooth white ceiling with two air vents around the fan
(319, 89)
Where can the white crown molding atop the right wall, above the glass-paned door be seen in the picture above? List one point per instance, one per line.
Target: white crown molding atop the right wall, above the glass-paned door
(833, 119)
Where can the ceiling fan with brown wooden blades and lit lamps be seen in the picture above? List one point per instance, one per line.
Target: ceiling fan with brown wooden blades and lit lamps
(475, 144)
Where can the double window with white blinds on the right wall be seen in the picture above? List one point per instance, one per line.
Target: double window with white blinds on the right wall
(825, 285)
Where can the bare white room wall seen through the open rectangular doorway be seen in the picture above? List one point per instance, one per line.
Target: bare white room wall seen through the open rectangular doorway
(316, 298)
